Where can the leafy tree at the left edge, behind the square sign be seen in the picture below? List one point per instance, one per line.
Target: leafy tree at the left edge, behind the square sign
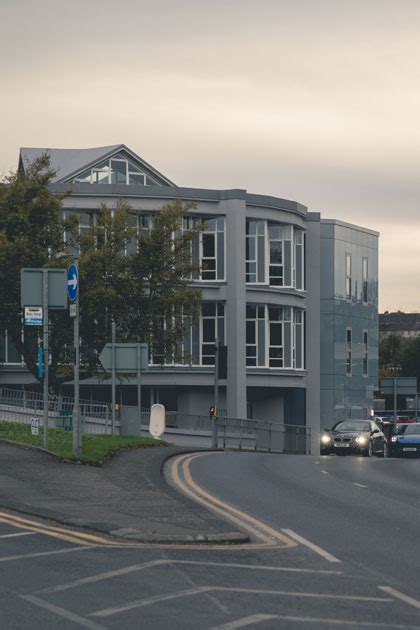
(30, 236)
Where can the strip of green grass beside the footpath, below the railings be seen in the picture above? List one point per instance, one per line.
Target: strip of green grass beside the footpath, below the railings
(94, 447)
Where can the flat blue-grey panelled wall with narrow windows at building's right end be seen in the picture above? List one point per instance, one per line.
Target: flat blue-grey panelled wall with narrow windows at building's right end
(349, 321)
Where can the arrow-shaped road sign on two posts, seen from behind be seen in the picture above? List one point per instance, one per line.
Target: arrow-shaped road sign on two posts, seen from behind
(127, 358)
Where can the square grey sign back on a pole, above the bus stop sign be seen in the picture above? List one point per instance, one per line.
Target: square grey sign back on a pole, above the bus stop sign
(31, 287)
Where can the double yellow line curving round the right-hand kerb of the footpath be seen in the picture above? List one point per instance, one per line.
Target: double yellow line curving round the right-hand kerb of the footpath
(266, 535)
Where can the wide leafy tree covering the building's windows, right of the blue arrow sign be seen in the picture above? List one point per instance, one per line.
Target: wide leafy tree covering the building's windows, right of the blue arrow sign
(147, 293)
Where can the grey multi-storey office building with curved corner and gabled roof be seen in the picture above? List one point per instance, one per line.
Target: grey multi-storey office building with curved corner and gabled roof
(276, 286)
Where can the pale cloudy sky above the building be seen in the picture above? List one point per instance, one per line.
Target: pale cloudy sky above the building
(312, 100)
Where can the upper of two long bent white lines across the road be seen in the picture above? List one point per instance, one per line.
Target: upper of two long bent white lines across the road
(139, 567)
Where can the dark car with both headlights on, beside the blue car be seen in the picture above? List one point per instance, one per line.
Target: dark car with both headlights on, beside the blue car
(362, 437)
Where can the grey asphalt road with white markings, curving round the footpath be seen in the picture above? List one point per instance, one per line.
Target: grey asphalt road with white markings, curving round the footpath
(336, 545)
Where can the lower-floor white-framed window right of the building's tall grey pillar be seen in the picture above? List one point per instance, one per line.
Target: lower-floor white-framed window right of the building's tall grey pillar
(274, 336)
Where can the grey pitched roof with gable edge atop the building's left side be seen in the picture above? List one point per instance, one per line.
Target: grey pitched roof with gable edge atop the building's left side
(69, 162)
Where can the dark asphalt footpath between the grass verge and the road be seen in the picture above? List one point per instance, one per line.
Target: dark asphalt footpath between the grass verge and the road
(127, 497)
